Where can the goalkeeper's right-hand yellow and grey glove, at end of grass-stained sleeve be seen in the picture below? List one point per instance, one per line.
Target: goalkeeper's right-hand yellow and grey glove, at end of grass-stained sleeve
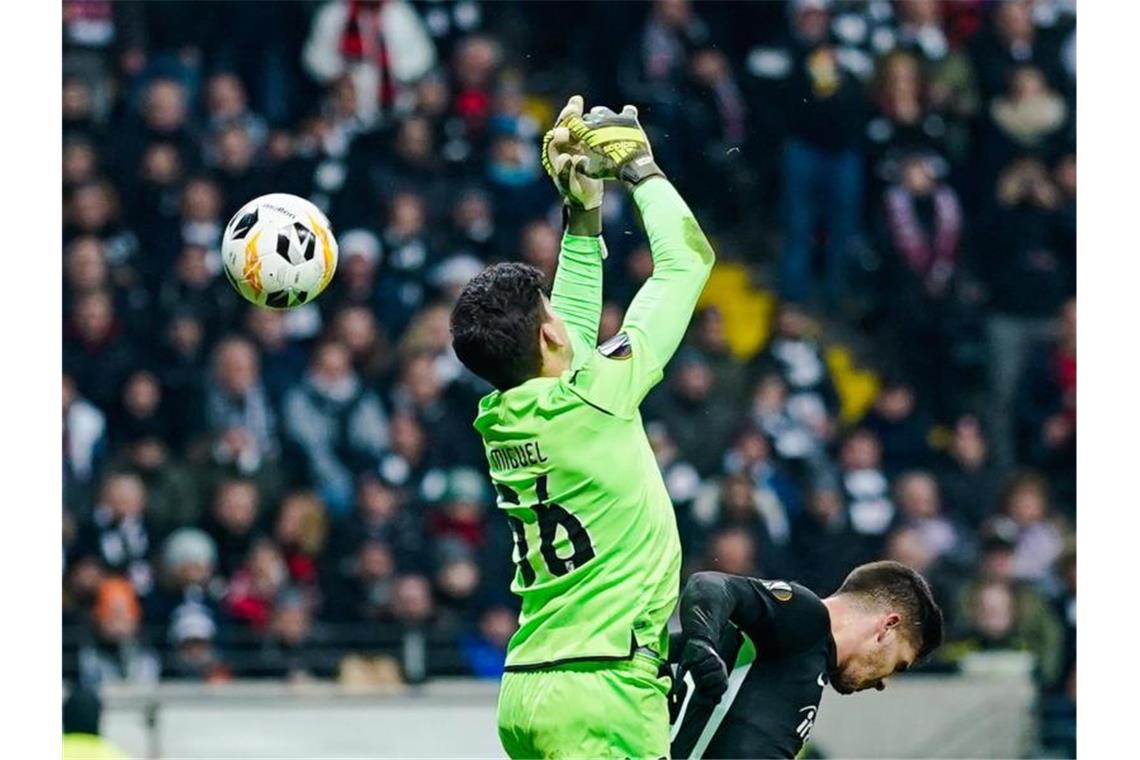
(617, 143)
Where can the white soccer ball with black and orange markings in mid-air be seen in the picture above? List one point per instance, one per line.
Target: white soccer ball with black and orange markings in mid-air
(279, 251)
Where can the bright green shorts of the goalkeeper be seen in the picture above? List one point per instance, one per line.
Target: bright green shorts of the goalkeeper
(587, 710)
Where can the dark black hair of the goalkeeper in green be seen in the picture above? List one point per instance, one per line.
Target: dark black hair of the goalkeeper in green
(495, 324)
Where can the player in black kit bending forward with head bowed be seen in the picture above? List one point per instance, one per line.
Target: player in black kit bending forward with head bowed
(786, 645)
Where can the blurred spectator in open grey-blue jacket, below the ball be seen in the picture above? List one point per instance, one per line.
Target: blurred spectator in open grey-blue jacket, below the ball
(339, 423)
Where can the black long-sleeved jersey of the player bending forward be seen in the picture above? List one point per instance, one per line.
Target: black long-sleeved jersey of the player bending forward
(776, 640)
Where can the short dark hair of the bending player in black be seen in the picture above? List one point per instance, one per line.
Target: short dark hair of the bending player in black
(902, 589)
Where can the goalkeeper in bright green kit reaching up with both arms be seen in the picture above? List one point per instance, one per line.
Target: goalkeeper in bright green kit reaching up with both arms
(596, 540)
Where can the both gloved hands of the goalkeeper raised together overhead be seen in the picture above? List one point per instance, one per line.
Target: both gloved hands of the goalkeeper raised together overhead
(582, 151)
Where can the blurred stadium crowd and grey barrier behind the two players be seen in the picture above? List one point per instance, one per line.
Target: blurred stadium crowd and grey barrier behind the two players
(884, 364)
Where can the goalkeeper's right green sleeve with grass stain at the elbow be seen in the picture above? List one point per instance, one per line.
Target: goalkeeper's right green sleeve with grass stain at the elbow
(682, 263)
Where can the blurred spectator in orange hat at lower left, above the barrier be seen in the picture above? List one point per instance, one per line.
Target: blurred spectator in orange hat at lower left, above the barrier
(117, 653)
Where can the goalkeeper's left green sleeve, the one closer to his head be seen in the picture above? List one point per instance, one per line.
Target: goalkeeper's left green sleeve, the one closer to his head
(577, 292)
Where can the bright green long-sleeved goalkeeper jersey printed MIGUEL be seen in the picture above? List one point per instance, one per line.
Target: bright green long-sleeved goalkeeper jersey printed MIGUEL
(596, 540)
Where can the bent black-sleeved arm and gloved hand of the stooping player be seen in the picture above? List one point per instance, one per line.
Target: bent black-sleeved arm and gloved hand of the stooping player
(709, 604)
